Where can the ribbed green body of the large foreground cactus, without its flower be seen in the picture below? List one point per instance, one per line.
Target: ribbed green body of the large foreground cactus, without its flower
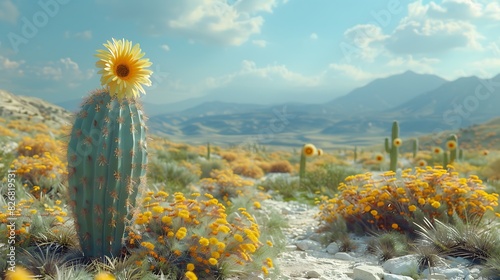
(107, 160)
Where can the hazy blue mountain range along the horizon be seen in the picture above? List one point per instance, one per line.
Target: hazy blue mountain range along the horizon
(422, 104)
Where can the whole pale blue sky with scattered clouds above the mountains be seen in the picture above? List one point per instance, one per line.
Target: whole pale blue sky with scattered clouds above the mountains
(313, 49)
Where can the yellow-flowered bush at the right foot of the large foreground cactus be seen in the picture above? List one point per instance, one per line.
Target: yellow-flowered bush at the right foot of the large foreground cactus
(194, 236)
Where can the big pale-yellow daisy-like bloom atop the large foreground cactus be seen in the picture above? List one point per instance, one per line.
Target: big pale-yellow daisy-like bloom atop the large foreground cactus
(123, 69)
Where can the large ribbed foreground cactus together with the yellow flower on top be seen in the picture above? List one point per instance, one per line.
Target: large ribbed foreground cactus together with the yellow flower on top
(107, 153)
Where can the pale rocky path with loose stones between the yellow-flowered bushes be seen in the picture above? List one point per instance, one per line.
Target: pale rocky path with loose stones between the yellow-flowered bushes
(306, 258)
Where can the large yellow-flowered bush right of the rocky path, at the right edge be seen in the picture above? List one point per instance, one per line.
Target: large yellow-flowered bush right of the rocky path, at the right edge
(387, 203)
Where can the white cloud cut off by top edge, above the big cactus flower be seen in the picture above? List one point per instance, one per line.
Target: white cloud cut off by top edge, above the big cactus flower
(208, 21)
